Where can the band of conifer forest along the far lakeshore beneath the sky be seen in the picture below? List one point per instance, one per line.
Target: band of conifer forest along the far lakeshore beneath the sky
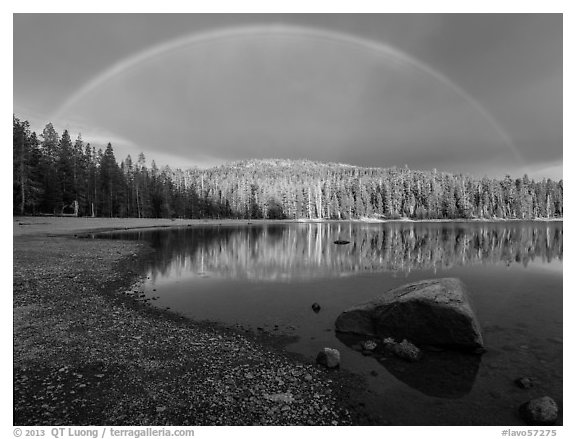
(54, 175)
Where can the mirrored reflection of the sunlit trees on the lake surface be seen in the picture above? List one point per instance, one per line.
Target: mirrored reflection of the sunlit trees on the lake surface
(284, 252)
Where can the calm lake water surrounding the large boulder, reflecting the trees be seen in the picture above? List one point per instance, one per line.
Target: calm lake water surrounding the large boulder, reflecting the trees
(268, 276)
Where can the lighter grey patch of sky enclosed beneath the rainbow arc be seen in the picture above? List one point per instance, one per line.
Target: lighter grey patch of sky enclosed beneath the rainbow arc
(295, 97)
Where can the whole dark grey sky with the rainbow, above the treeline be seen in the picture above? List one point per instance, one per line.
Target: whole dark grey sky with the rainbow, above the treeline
(475, 93)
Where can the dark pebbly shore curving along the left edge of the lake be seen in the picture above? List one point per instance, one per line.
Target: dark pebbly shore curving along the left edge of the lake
(87, 354)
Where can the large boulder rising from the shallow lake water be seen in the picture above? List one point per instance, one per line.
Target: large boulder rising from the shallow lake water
(433, 312)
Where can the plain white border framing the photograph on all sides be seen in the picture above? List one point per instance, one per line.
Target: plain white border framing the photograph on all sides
(302, 6)
